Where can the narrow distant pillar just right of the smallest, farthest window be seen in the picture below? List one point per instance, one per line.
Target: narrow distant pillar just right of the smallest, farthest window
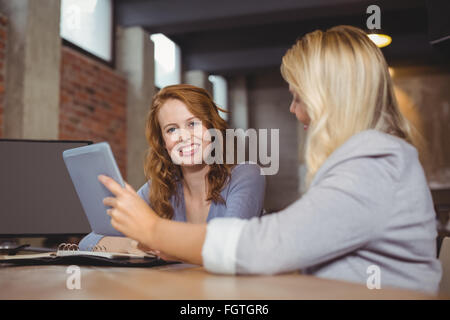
(238, 97)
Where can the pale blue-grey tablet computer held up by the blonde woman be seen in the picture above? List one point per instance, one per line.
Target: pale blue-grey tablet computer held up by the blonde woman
(84, 165)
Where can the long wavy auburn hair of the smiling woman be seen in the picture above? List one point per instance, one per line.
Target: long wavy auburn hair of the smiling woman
(159, 169)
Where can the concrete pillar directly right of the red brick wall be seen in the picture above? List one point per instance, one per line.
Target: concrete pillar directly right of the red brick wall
(135, 58)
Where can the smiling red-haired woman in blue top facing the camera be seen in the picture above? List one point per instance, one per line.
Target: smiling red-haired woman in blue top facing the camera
(181, 186)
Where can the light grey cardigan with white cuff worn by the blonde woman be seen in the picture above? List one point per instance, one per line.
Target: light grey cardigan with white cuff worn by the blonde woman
(368, 205)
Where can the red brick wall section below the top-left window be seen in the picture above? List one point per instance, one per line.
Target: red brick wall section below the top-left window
(93, 103)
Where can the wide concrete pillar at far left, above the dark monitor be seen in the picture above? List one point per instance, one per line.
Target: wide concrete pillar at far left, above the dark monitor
(32, 69)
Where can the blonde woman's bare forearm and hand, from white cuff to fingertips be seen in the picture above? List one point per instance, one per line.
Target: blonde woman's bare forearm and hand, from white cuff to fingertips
(132, 216)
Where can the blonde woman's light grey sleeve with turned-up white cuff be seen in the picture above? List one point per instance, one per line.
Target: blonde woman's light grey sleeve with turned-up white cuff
(344, 211)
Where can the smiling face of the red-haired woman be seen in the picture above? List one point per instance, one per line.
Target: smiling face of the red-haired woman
(183, 133)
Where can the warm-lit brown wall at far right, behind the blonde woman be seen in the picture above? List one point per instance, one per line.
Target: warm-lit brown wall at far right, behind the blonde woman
(423, 96)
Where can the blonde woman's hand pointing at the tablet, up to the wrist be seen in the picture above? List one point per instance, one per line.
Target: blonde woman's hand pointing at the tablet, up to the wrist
(129, 213)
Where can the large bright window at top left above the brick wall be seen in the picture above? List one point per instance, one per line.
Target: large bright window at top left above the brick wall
(88, 24)
